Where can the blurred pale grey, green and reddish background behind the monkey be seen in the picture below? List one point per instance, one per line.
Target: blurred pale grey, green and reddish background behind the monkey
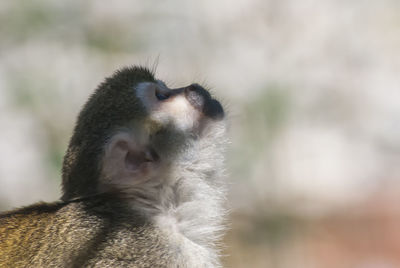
(313, 93)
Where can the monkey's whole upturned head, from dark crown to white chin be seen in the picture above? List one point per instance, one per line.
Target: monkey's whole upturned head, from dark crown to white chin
(134, 130)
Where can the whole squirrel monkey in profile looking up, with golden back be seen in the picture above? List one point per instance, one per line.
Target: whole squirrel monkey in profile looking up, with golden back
(142, 183)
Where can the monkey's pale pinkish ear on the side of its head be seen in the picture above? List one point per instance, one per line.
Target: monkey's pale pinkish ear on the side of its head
(125, 161)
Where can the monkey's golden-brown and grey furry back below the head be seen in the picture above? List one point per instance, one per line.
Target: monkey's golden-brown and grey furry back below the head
(95, 232)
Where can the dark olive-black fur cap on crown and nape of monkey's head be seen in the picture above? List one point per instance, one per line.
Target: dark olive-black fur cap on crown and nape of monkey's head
(111, 106)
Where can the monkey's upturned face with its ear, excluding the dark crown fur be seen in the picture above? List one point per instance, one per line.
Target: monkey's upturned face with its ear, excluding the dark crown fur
(148, 148)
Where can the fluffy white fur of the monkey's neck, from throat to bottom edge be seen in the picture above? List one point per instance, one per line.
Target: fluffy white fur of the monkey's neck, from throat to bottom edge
(188, 205)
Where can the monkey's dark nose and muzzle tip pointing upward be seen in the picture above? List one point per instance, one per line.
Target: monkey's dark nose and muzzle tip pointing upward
(201, 100)
